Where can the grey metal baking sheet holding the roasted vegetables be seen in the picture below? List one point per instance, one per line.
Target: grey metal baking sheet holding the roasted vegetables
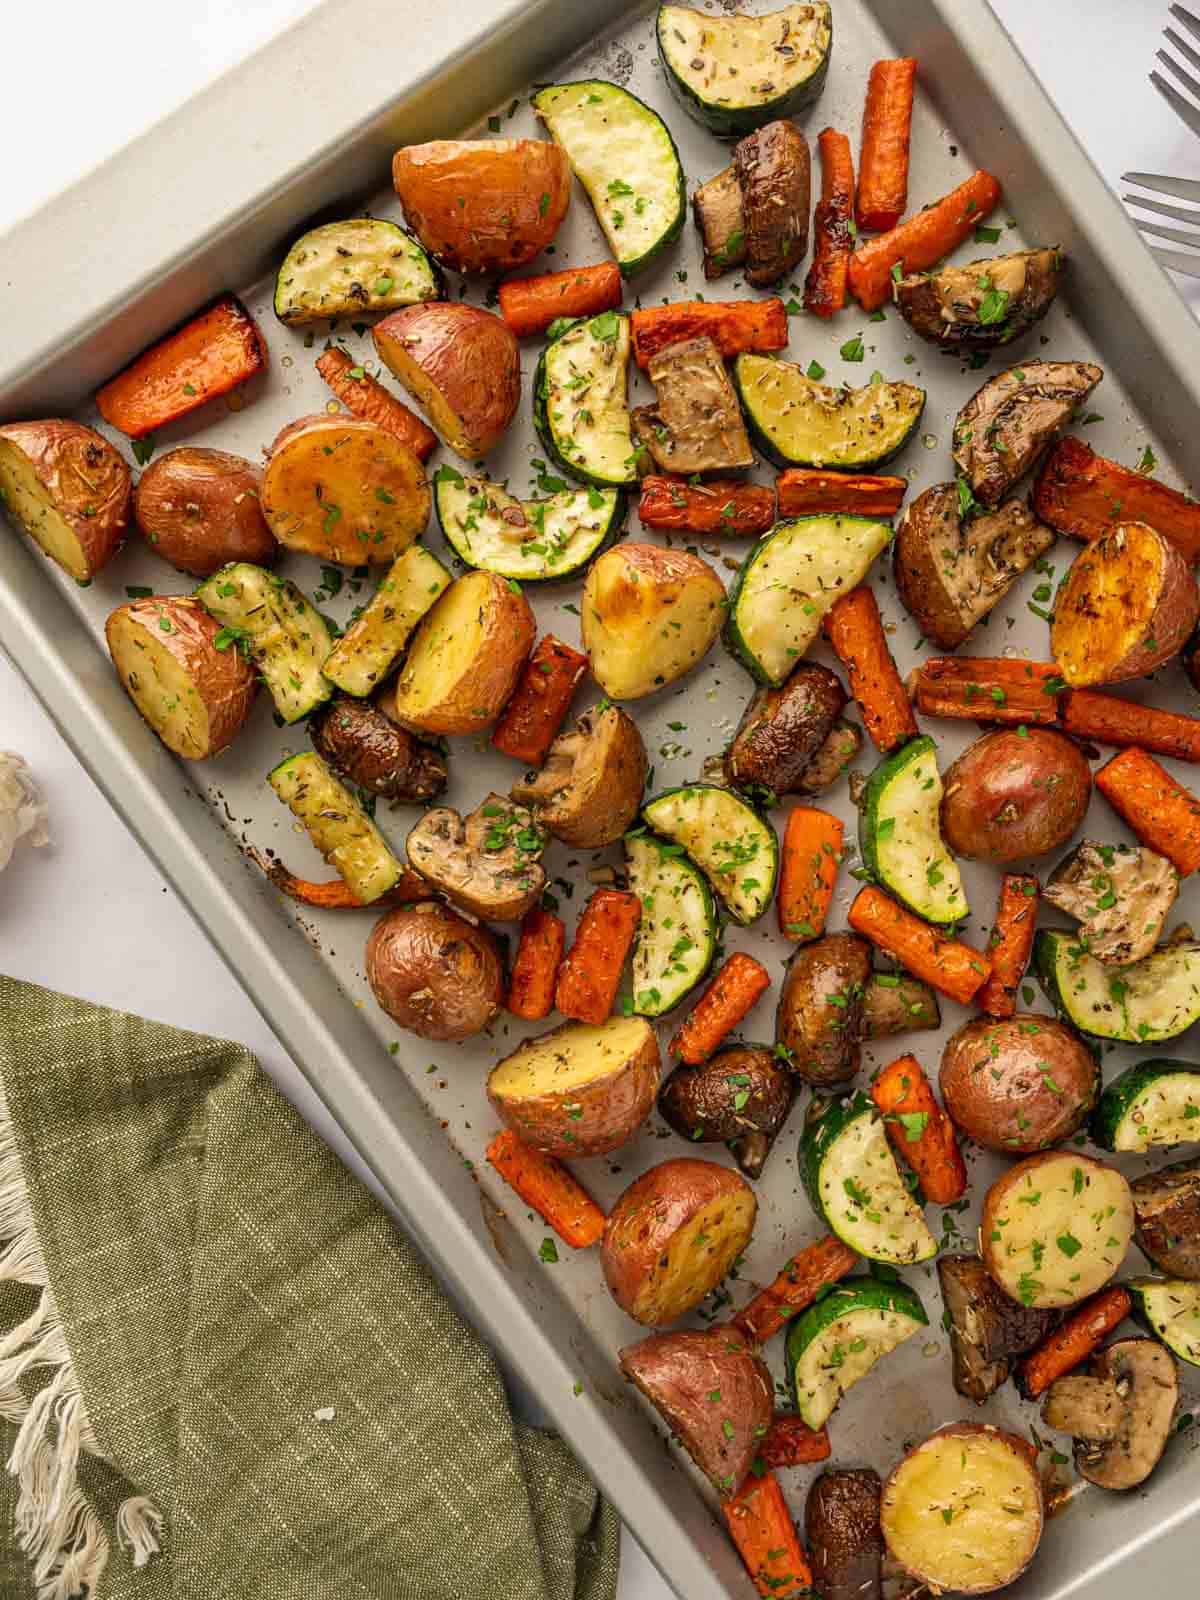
(369, 76)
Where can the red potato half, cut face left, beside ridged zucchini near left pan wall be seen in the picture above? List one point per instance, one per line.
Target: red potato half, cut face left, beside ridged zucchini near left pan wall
(193, 694)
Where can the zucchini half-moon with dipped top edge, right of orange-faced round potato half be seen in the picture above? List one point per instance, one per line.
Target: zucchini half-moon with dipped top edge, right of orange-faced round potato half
(527, 540)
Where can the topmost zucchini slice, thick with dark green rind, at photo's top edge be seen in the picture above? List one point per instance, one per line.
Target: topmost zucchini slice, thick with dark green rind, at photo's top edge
(737, 73)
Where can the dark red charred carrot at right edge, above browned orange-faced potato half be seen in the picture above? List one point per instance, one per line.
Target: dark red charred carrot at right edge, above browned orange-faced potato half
(1087, 495)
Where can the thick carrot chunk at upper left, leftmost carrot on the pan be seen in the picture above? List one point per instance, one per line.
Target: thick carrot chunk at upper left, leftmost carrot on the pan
(207, 358)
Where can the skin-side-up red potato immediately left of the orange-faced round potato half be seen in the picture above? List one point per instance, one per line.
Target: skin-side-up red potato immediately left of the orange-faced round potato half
(199, 510)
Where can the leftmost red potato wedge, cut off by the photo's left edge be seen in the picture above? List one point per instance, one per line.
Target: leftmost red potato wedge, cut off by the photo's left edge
(68, 489)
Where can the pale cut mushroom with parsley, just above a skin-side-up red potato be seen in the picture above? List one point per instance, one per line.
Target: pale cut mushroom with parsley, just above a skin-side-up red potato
(486, 865)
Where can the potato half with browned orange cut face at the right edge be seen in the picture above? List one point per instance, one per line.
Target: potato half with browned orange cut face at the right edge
(1129, 604)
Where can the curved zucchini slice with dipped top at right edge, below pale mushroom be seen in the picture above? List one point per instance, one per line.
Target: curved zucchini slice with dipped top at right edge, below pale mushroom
(1154, 999)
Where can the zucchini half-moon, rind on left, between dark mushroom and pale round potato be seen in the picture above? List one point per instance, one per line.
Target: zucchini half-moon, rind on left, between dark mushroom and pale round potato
(854, 1182)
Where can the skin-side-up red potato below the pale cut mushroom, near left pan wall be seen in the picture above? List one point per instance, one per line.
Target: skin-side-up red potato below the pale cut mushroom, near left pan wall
(434, 974)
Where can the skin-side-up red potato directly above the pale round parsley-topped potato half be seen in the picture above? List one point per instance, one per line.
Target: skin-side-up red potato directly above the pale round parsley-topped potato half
(1018, 1086)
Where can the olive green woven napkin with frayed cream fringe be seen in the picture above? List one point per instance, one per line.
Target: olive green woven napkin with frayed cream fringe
(223, 1370)
